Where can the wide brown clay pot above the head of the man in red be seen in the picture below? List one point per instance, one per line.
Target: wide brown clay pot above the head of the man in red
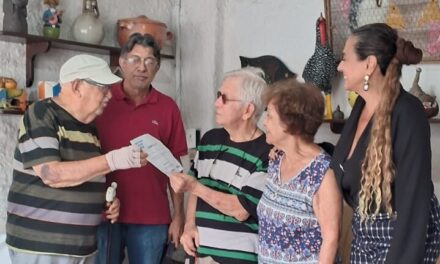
(143, 25)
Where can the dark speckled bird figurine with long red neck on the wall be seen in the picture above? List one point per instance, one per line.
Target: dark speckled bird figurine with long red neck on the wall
(321, 67)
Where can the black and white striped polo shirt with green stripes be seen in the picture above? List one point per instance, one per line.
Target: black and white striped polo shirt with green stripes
(232, 168)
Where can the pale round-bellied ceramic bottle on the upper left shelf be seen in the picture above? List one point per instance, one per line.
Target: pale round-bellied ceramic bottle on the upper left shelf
(87, 27)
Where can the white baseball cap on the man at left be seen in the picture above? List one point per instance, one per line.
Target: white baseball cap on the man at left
(87, 67)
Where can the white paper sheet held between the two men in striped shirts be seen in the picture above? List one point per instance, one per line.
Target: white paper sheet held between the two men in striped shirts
(158, 155)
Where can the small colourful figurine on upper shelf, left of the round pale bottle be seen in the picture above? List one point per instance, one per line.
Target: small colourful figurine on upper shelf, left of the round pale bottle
(52, 19)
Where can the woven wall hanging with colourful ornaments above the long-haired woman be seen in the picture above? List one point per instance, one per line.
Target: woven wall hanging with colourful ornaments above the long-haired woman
(415, 20)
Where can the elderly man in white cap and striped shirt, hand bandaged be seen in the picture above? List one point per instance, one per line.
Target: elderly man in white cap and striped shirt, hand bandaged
(57, 195)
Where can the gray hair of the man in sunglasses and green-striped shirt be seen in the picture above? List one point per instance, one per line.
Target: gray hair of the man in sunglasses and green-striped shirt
(252, 86)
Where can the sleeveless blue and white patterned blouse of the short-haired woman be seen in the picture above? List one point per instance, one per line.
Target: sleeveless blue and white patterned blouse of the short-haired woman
(289, 230)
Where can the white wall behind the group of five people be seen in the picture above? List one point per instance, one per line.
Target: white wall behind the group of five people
(210, 34)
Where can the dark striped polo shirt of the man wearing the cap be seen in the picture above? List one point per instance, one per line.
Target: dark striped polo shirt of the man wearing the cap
(41, 219)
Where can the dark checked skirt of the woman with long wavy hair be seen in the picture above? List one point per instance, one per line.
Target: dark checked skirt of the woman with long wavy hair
(372, 239)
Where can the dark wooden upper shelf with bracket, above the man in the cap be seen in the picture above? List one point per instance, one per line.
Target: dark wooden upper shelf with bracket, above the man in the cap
(38, 44)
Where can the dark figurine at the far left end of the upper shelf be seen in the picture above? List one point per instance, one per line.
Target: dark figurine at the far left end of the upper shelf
(15, 13)
